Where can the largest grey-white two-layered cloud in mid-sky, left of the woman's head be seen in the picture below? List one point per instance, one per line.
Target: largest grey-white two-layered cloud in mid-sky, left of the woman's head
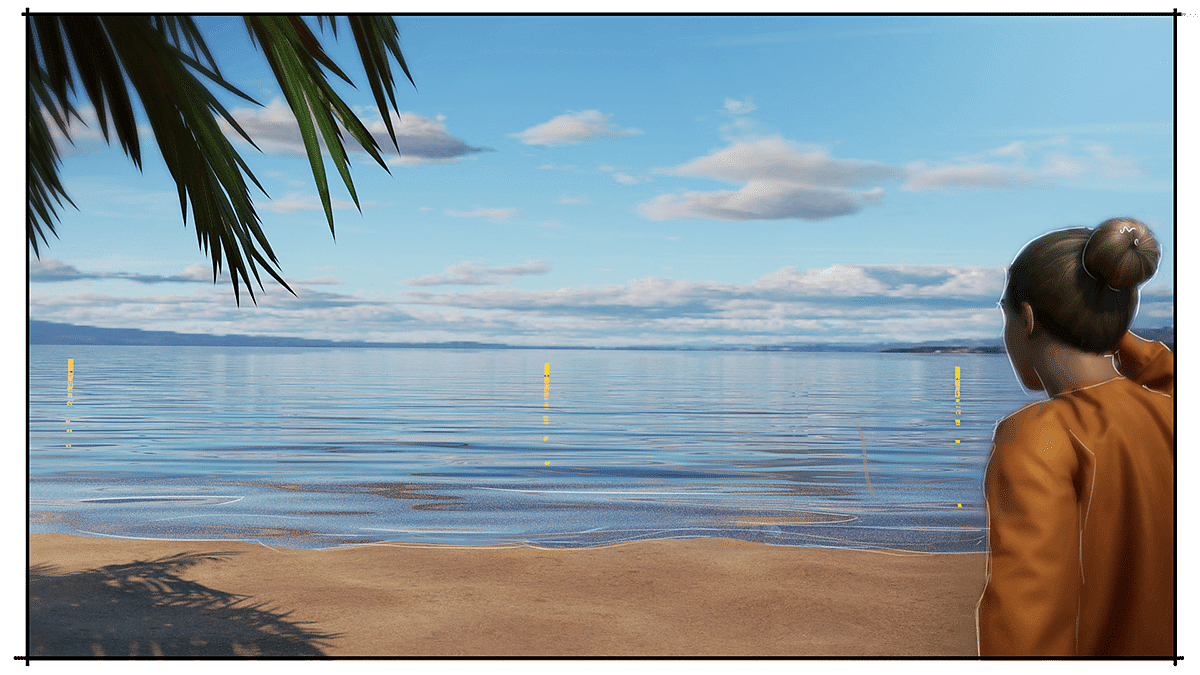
(781, 182)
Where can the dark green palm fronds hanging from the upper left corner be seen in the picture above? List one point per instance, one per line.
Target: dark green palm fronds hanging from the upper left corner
(159, 58)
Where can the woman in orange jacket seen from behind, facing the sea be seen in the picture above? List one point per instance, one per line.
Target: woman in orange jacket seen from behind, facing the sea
(1081, 488)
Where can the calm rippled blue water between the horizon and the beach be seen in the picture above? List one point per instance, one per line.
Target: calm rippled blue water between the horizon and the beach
(313, 449)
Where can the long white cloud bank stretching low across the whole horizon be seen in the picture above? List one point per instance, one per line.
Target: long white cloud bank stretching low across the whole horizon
(836, 304)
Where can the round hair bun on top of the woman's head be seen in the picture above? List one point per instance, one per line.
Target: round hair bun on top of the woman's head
(1121, 253)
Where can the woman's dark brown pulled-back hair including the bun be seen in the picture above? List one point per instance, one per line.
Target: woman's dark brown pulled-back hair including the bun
(1083, 284)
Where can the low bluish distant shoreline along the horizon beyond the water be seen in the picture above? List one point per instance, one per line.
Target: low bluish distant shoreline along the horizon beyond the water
(52, 333)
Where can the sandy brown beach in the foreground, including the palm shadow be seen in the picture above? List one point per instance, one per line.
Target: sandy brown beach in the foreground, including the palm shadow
(685, 599)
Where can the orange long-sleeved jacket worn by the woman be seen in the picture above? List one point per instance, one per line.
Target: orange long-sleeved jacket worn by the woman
(1081, 493)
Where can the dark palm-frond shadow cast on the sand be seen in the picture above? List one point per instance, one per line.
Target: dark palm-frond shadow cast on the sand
(146, 608)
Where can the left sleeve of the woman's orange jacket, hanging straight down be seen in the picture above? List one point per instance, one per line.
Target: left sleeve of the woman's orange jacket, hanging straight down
(1030, 605)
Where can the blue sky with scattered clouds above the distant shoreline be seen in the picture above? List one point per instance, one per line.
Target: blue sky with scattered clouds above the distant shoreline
(656, 181)
